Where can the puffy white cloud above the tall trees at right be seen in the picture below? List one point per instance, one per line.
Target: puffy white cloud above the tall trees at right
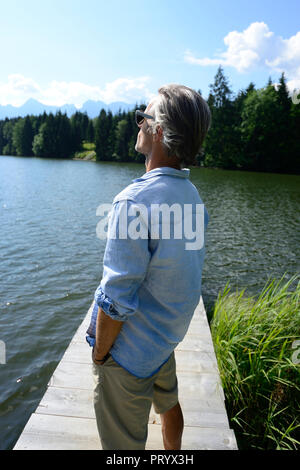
(254, 47)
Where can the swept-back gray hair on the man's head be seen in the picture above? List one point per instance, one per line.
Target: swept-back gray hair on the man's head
(185, 119)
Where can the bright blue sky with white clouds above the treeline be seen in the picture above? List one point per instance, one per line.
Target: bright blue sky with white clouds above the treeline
(69, 51)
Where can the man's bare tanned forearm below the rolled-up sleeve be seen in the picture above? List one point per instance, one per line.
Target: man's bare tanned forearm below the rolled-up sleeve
(107, 331)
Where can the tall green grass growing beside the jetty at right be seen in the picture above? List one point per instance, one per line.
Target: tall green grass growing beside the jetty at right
(258, 358)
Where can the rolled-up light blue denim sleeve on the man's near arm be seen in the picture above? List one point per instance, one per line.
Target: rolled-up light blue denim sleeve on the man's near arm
(125, 265)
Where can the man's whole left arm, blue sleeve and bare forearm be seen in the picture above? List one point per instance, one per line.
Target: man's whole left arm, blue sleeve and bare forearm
(125, 265)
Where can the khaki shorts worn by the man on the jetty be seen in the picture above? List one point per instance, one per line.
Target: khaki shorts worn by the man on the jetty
(123, 401)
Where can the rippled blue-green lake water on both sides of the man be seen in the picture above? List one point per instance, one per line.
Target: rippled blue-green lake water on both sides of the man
(51, 259)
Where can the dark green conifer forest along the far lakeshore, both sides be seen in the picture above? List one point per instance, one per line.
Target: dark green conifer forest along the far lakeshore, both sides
(255, 130)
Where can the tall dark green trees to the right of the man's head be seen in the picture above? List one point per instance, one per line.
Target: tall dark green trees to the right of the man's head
(258, 130)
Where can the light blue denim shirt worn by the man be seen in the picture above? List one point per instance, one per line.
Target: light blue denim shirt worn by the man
(151, 283)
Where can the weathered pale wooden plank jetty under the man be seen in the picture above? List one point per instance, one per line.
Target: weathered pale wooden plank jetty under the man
(65, 419)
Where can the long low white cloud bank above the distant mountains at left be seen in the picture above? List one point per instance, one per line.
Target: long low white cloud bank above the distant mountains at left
(18, 89)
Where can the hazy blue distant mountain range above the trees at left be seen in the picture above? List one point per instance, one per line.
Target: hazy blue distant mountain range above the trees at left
(32, 106)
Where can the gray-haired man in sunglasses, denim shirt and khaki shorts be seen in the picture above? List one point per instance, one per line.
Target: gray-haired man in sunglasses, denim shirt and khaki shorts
(151, 284)
